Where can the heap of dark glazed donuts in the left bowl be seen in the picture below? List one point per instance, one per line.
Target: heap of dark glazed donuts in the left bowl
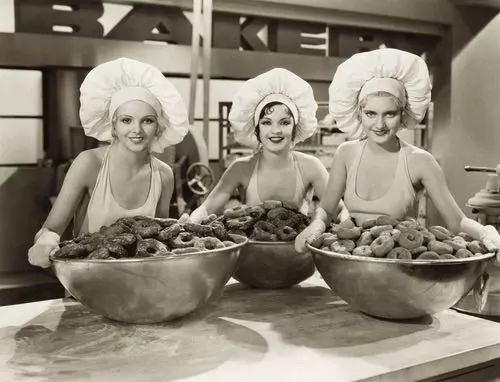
(141, 237)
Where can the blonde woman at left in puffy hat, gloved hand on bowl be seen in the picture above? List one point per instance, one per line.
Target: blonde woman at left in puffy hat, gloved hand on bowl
(134, 107)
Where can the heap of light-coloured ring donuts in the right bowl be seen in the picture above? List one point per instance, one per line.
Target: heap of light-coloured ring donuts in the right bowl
(386, 237)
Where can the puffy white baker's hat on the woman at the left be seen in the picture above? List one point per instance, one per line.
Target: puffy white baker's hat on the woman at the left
(113, 83)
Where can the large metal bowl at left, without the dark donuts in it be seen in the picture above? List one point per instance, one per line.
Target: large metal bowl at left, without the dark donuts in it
(149, 290)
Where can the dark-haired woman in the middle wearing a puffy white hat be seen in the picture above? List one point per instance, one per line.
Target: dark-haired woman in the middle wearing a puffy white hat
(271, 112)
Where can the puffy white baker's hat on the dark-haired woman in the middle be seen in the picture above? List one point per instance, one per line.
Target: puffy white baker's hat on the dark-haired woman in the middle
(276, 85)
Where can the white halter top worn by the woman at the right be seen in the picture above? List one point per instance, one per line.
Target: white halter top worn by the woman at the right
(396, 201)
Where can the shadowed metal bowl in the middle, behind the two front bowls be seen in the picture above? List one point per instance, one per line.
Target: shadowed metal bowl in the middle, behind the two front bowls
(273, 265)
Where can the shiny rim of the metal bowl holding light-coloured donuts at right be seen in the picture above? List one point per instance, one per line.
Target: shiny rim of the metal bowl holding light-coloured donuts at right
(484, 256)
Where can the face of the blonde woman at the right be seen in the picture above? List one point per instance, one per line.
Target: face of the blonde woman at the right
(381, 118)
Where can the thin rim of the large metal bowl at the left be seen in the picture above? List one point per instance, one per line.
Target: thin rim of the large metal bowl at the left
(127, 260)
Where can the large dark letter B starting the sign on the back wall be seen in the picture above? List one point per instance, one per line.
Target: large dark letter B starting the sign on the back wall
(53, 16)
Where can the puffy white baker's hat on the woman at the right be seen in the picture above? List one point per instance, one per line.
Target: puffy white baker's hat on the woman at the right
(402, 74)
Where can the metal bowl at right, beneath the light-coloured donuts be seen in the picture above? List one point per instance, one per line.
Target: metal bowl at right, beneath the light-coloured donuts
(399, 289)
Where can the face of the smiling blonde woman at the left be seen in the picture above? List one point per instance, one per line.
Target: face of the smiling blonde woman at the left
(136, 125)
